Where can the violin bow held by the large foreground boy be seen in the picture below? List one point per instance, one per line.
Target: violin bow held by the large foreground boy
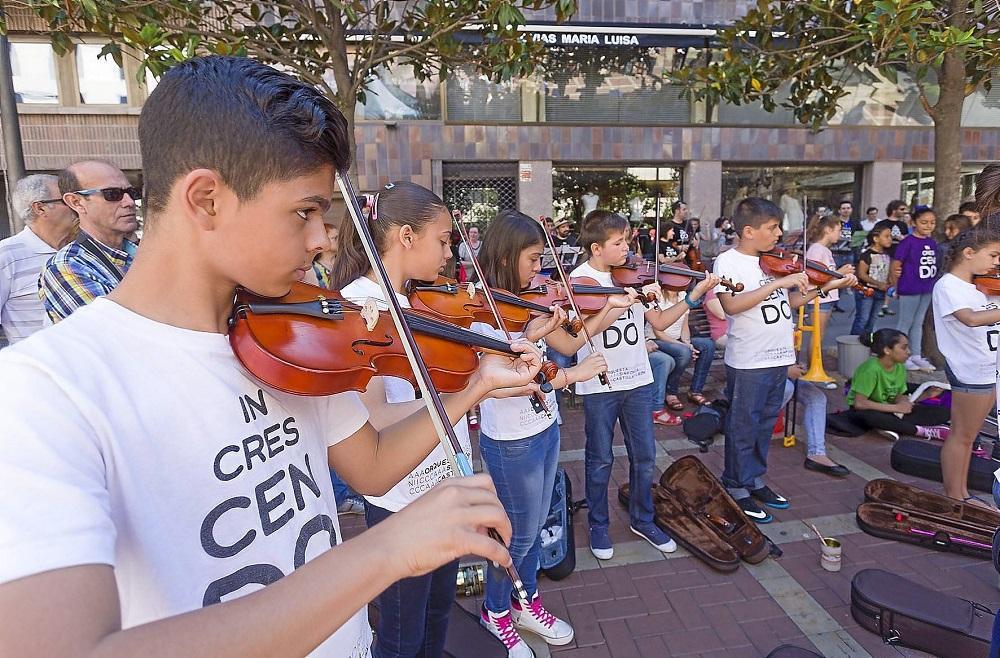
(432, 400)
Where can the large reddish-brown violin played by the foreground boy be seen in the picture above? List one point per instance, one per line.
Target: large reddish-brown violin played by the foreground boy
(314, 342)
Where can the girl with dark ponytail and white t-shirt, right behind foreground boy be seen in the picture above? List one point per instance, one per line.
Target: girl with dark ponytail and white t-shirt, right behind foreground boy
(411, 227)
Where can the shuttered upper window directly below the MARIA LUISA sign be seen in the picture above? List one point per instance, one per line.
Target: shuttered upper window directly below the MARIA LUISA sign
(624, 85)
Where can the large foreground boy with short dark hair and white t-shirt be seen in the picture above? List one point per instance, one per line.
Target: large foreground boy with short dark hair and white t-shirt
(176, 505)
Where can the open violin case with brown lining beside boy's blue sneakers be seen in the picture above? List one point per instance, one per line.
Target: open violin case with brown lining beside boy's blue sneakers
(691, 505)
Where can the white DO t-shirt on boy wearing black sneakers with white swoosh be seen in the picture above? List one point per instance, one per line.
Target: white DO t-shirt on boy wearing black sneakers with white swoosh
(761, 336)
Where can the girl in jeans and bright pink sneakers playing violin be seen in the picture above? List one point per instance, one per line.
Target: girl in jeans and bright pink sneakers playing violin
(519, 446)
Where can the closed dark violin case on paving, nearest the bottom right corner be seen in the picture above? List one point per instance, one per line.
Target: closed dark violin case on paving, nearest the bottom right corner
(905, 613)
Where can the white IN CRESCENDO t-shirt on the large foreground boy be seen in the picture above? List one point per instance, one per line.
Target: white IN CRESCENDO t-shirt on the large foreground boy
(147, 447)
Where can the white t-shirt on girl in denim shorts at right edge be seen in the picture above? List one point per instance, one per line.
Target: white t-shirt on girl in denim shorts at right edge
(971, 352)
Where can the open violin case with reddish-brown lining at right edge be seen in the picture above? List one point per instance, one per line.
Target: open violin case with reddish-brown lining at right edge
(893, 510)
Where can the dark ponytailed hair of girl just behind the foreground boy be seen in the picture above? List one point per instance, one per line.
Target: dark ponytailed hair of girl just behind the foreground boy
(395, 205)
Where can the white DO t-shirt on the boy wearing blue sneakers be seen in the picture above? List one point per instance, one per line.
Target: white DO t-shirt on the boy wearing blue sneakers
(623, 345)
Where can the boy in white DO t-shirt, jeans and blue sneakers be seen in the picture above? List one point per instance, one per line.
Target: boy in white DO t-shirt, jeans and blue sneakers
(629, 399)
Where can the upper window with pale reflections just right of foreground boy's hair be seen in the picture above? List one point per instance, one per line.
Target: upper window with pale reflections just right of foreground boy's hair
(397, 94)
